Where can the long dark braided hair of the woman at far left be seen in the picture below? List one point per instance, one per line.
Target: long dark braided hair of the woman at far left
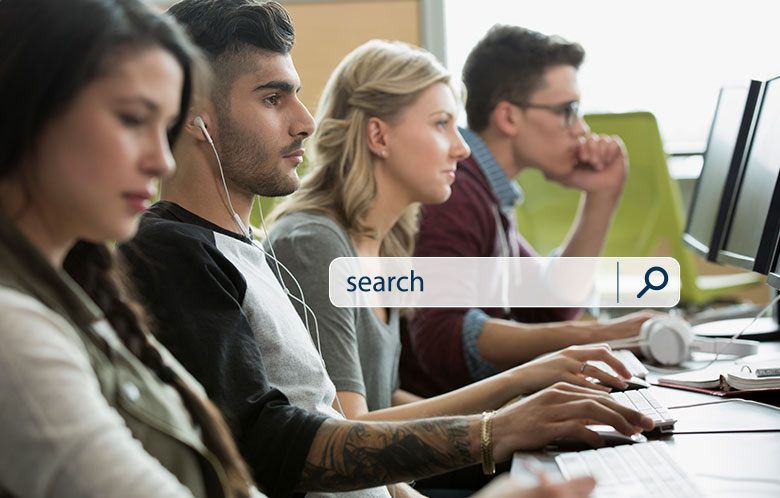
(51, 50)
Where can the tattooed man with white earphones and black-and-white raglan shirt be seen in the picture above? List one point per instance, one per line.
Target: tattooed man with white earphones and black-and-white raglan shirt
(221, 311)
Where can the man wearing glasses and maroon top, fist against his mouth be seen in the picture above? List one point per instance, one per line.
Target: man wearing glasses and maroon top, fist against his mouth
(522, 108)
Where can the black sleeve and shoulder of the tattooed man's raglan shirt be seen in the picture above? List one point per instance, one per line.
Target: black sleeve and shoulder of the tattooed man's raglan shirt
(194, 294)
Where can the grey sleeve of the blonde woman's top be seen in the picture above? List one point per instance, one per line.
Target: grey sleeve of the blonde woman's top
(307, 249)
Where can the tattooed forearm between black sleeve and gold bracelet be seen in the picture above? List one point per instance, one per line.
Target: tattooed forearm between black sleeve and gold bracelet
(355, 455)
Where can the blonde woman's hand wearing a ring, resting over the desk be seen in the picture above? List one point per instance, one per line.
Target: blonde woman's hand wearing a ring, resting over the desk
(567, 366)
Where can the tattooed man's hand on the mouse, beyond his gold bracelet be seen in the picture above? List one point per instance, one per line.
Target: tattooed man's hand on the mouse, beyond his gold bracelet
(562, 410)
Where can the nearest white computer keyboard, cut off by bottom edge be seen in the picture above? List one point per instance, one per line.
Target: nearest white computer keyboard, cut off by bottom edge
(630, 471)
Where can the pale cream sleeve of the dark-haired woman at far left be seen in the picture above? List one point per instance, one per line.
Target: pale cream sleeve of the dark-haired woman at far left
(60, 437)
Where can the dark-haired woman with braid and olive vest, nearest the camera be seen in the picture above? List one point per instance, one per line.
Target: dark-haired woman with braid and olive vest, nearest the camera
(91, 406)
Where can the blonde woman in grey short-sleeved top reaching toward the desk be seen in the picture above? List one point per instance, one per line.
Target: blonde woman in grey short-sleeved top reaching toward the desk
(387, 141)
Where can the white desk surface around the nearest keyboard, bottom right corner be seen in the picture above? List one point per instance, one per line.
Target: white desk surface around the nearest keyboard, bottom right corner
(735, 464)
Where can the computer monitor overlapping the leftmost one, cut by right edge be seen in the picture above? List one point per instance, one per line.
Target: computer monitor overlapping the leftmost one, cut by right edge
(754, 223)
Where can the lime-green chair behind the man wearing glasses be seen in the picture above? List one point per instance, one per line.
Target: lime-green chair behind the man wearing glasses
(650, 210)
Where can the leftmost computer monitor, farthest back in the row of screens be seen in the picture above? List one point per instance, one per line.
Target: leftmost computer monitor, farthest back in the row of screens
(714, 189)
